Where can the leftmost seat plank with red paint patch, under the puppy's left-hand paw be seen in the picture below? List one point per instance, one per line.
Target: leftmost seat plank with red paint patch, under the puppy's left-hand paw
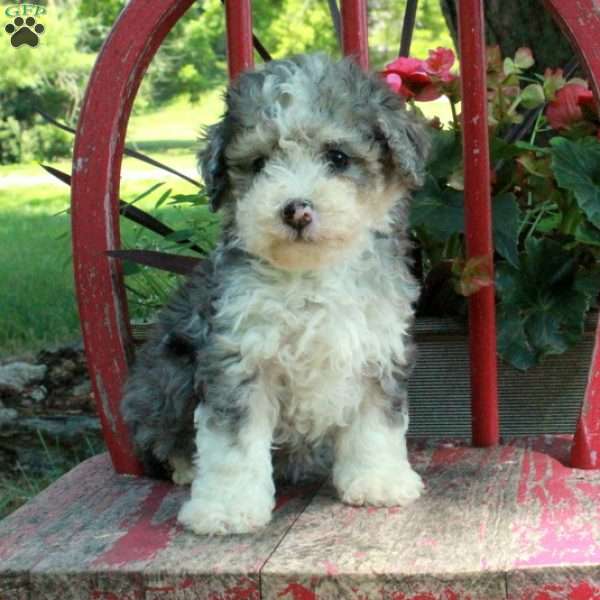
(95, 534)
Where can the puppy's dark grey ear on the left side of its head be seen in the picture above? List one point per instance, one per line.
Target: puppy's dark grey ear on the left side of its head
(213, 164)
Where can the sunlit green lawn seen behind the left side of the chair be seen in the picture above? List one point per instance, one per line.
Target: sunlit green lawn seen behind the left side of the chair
(37, 306)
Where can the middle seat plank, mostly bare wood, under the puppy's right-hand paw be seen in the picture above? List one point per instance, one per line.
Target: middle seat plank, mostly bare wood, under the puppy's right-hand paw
(448, 544)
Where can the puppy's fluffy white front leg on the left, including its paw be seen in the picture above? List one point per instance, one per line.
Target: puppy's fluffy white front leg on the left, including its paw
(233, 490)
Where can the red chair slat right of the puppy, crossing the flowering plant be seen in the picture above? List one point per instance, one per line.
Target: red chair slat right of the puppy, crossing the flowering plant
(478, 223)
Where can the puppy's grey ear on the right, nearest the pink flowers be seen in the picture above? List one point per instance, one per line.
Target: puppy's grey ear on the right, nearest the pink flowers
(405, 138)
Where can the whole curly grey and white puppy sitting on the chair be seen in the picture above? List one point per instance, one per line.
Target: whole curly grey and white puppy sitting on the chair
(294, 335)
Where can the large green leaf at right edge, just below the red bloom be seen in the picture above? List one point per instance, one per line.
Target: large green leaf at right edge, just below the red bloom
(576, 166)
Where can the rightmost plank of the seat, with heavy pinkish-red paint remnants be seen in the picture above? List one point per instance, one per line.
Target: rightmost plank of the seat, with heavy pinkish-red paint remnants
(555, 525)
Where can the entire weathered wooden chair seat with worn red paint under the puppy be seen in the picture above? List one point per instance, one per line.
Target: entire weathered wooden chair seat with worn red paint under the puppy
(506, 522)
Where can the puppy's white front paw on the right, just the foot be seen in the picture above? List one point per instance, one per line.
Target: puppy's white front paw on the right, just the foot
(378, 487)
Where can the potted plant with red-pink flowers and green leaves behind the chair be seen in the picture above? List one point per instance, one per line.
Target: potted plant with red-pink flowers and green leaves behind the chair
(545, 154)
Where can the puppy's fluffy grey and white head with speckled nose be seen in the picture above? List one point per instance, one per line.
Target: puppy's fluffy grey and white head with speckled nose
(310, 160)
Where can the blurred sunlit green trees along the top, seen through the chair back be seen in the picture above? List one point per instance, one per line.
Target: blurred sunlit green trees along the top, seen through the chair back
(191, 62)
